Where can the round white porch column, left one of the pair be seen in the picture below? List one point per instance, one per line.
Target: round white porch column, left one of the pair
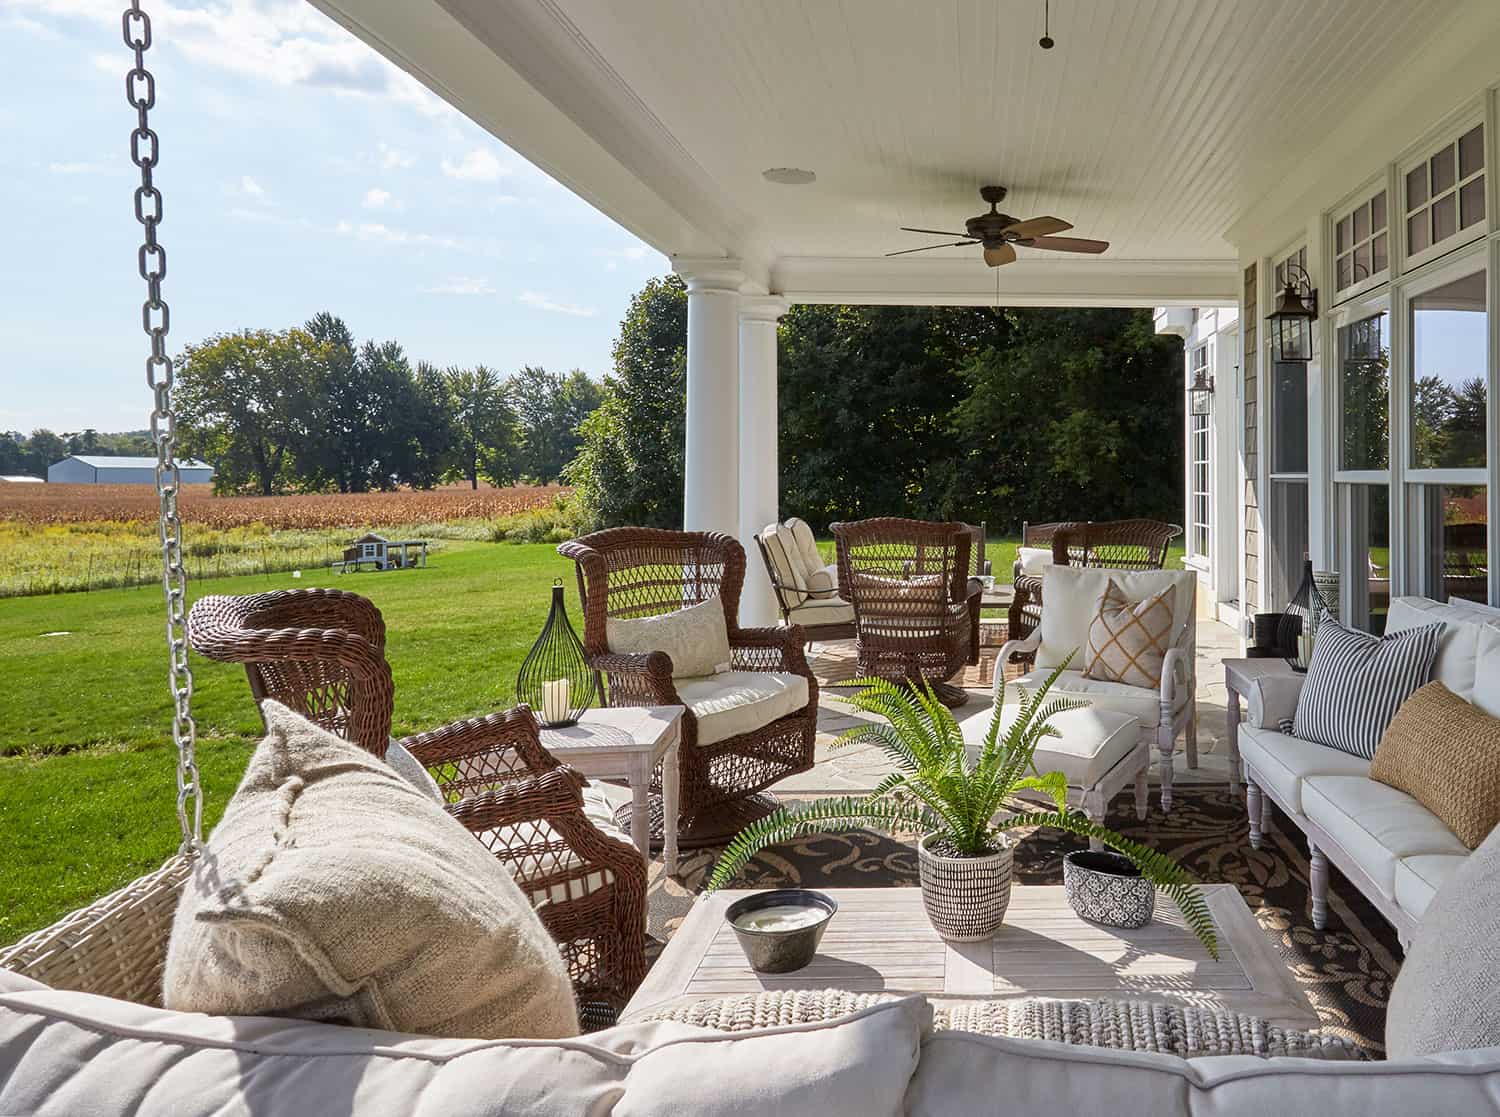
(712, 488)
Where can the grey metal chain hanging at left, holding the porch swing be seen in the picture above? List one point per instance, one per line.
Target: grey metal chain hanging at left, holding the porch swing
(140, 91)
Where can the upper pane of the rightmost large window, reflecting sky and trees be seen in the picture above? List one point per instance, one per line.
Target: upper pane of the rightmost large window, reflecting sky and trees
(1450, 383)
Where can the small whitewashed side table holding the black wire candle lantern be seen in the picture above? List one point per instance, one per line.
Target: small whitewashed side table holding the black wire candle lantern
(626, 743)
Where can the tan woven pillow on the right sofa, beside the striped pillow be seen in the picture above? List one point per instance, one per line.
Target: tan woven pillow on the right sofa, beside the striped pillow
(1445, 753)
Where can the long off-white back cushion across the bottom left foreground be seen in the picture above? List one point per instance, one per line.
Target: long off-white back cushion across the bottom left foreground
(73, 1053)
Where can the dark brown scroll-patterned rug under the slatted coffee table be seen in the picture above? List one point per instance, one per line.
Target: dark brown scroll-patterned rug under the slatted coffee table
(1345, 971)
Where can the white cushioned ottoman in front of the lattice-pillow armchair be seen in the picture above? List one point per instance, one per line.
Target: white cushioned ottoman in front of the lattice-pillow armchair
(1097, 750)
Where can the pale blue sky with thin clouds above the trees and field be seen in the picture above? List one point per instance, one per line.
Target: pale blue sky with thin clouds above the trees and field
(301, 173)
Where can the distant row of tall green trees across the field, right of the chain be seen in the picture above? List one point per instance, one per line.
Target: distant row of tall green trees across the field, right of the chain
(311, 410)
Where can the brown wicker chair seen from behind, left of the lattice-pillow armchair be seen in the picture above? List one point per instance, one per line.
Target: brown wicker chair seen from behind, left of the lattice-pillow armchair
(917, 611)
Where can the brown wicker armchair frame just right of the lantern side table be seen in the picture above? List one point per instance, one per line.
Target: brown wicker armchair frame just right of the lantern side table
(628, 573)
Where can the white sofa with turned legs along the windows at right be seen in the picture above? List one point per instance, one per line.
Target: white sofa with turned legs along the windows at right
(1384, 842)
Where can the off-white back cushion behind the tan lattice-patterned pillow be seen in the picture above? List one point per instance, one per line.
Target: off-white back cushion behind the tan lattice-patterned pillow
(1072, 600)
